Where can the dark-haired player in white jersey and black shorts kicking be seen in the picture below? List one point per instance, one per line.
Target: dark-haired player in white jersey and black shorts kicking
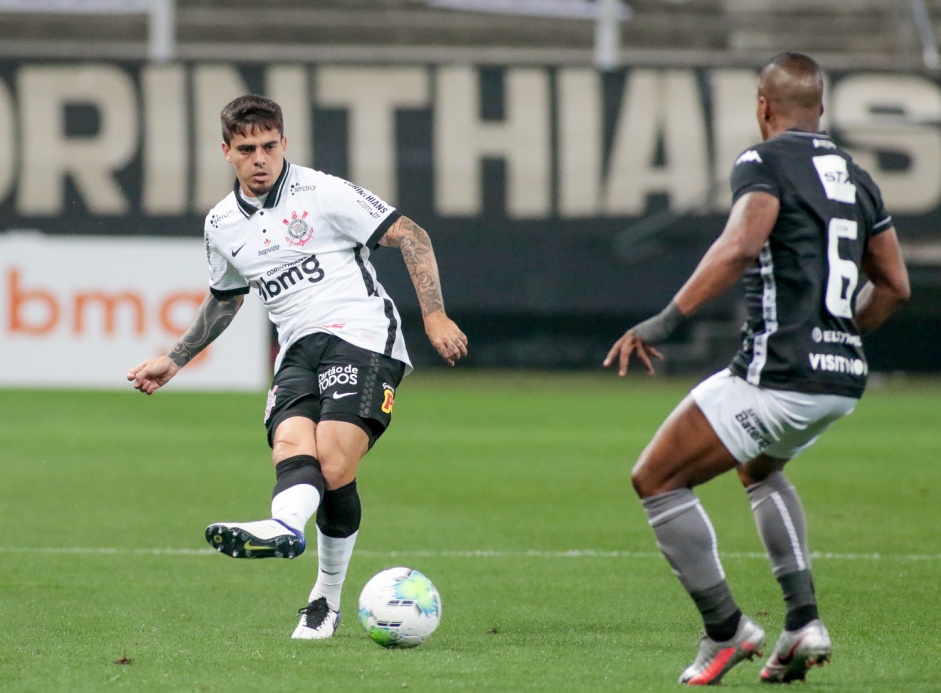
(301, 239)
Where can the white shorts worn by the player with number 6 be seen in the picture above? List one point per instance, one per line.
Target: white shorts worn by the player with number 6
(751, 421)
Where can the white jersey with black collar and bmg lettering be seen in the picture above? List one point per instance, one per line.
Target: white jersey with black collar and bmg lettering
(305, 252)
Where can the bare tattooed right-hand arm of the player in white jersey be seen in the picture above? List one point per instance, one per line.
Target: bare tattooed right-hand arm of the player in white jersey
(419, 256)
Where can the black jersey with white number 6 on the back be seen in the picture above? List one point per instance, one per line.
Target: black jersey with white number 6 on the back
(800, 294)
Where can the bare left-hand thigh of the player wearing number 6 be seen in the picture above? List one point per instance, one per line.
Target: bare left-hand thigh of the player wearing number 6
(684, 452)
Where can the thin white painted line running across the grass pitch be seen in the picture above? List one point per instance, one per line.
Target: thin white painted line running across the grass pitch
(584, 553)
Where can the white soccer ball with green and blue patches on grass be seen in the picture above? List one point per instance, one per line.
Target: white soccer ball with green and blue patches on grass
(399, 607)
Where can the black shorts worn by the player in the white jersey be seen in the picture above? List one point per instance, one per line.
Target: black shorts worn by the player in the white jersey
(324, 378)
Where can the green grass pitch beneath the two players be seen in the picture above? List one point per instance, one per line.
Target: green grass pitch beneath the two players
(511, 491)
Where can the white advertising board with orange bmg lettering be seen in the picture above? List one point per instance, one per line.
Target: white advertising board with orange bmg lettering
(81, 311)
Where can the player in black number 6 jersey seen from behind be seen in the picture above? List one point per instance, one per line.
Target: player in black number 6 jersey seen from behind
(806, 224)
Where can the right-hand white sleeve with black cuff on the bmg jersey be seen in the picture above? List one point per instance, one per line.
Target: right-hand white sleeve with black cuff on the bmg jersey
(356, 212)
